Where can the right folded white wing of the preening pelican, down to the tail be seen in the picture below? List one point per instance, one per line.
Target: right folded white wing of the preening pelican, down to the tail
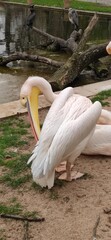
(69, 135)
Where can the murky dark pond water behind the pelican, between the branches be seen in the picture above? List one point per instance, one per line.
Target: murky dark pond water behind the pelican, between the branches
(15, 37)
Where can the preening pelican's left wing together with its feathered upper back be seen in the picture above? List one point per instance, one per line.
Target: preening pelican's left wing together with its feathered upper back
(66, 106)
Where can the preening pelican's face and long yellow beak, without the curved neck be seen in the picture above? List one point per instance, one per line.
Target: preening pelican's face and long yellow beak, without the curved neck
(29, 98)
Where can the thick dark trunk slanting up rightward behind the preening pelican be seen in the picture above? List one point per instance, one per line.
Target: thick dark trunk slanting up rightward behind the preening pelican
(73, 67)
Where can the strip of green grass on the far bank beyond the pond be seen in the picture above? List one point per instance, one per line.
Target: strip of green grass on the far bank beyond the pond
(80, 5)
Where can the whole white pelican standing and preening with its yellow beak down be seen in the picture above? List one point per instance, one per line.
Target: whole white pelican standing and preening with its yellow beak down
(66, 131)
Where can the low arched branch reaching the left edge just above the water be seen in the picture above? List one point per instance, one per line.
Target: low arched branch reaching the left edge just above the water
(26, 57)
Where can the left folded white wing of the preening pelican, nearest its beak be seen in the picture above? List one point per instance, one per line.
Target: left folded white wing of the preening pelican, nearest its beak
(51, 124)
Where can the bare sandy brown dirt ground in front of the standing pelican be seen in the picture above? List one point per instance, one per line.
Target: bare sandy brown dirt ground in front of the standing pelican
(77, 210)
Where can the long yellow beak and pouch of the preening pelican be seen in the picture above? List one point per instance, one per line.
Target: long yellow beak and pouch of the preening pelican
(32, 106)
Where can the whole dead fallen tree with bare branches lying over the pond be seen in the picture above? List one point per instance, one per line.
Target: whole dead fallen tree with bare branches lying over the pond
(66, 72)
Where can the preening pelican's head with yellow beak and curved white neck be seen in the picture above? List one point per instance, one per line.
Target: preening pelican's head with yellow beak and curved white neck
(29, 93)
